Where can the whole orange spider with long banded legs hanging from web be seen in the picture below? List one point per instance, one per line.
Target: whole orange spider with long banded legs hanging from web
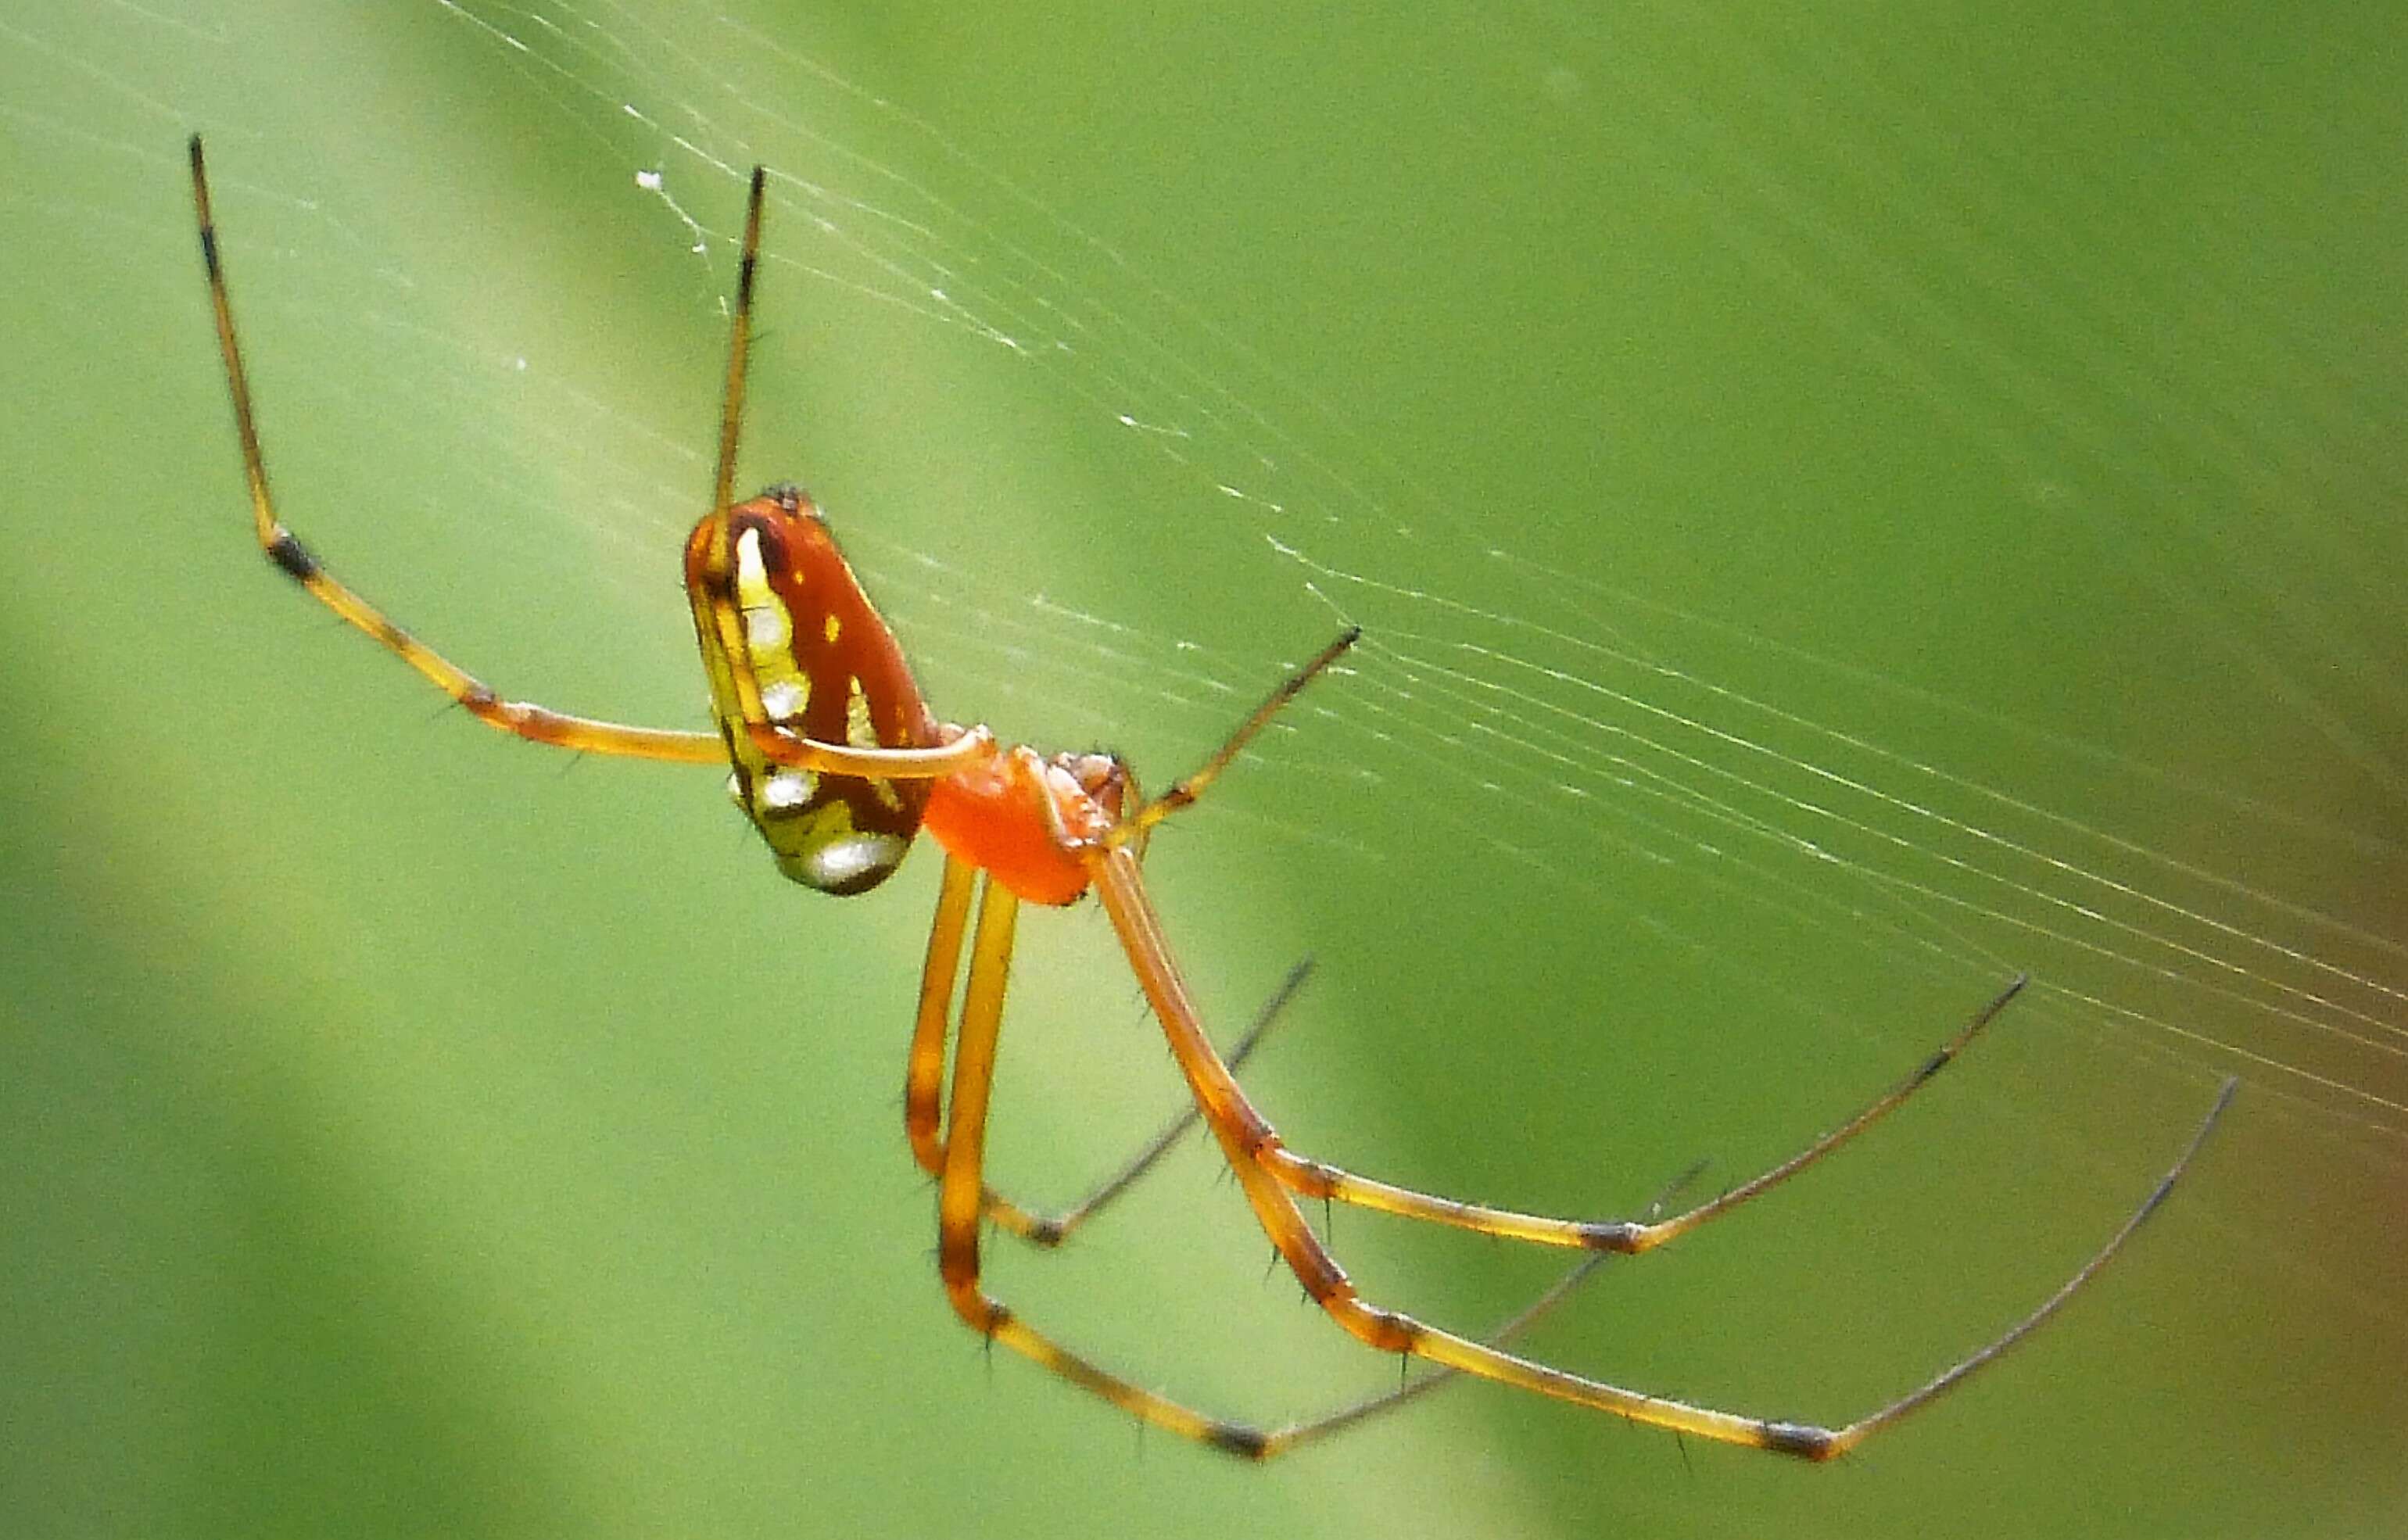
(839, 764)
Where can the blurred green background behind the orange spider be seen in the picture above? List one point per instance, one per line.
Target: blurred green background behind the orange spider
(418, 1135)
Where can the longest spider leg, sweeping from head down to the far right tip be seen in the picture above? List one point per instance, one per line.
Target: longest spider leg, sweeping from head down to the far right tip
(1244, 1137)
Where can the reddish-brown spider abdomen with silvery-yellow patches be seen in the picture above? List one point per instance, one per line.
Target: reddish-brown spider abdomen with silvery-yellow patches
(791, 641)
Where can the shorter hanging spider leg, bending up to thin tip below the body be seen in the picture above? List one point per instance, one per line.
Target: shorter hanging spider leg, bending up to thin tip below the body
(923, 1079)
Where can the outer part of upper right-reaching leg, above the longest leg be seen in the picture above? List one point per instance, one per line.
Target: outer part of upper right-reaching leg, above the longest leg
(1321, 1180)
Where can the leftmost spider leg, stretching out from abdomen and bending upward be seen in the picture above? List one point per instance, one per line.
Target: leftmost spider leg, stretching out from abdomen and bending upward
(290, 557)
